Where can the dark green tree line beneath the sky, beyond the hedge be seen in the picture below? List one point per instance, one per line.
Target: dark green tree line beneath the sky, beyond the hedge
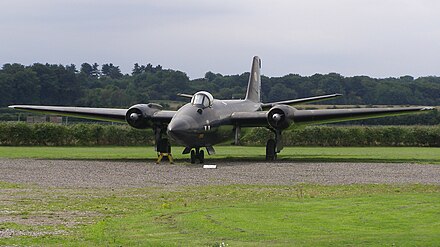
(105, 86)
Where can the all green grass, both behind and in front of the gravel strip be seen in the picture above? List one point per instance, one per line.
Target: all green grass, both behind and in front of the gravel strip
(233, 215)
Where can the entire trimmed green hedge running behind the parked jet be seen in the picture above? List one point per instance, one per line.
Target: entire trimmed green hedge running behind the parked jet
(46, 134)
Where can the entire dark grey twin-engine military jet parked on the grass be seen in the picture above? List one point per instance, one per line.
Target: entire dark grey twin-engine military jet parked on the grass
(207, 121)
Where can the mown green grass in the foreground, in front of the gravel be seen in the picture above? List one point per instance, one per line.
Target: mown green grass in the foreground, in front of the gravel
(237, 215)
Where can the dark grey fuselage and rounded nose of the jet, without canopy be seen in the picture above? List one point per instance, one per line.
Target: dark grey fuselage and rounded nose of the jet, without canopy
(195, 126)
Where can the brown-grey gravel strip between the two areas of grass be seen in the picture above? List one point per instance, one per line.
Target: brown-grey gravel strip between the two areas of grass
(131, 174)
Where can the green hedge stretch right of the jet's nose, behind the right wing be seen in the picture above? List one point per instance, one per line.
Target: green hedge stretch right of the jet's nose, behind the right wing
(413, 136)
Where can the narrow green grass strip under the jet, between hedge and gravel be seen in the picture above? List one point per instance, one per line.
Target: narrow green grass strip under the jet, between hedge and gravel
(305, 154)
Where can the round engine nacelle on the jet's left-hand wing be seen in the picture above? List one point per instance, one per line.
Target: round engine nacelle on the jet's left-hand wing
(139, 116)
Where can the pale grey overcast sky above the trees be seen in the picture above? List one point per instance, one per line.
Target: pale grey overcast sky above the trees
(378, 38)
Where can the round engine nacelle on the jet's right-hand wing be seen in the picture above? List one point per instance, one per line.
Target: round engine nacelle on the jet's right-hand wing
(280, 116)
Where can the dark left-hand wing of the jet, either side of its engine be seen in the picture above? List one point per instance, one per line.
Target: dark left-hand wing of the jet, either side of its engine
(103, 114)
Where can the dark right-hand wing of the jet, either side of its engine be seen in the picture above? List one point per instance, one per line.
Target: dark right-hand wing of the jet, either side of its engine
(303, 117)
